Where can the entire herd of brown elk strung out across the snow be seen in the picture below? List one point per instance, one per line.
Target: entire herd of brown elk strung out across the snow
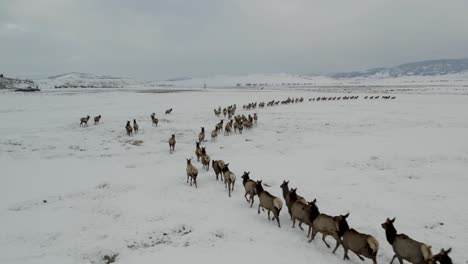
(299, 209)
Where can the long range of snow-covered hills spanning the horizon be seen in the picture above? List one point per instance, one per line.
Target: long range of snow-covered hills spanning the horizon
(445, 73)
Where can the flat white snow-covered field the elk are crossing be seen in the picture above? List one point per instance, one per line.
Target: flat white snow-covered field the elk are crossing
(73, 195)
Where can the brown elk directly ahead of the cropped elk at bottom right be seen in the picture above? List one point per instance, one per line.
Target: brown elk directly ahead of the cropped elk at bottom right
(406, 248)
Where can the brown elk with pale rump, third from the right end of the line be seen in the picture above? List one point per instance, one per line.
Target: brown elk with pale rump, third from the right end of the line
(360, 244)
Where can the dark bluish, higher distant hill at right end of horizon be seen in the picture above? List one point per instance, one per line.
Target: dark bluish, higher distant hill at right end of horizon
(421, 68)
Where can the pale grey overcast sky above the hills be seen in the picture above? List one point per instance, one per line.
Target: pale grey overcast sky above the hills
(154, 39)
